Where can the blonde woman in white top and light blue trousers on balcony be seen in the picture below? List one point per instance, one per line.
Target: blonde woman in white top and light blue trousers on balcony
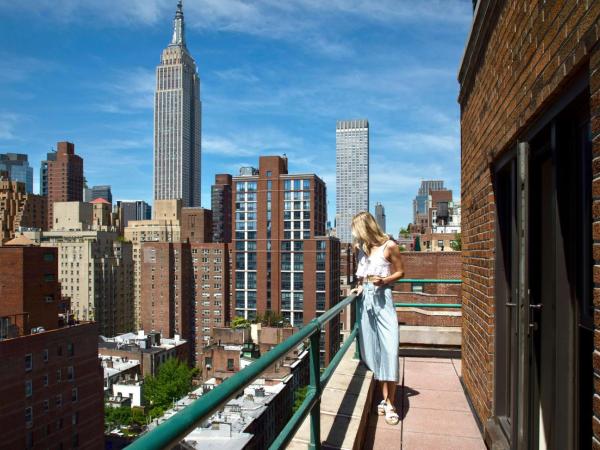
(379, 266)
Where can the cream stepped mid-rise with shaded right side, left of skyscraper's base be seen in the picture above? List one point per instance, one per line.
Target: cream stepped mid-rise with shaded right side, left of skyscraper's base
(95, 268)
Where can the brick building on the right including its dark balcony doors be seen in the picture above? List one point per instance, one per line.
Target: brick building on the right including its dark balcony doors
(530, 108)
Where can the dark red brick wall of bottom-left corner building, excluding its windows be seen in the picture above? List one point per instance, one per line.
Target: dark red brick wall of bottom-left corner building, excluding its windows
(55, 426)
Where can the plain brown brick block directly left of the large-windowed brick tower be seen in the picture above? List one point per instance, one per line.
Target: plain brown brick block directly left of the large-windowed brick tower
(185, 290)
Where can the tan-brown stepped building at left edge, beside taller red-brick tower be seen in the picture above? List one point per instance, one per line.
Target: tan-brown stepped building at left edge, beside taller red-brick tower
(18, 208)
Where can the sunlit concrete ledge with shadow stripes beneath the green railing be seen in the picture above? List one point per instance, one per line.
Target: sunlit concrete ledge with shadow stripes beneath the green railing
(345, 408)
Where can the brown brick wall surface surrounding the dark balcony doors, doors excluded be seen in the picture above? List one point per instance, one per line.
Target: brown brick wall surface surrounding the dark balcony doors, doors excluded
(533, 50)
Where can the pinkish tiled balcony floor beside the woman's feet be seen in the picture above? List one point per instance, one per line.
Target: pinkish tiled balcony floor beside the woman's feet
(433, 410)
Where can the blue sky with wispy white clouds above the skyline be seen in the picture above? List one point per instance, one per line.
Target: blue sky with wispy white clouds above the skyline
(275, 76)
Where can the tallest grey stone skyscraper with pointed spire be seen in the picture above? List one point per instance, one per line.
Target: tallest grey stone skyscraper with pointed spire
(177, 121)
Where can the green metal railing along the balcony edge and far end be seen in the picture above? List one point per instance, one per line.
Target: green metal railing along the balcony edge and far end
(183, 422)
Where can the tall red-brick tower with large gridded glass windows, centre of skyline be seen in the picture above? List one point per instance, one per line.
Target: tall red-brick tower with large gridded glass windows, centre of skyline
(282, 260)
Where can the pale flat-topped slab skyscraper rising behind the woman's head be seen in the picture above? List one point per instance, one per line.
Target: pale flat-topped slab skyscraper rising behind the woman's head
(351, 173)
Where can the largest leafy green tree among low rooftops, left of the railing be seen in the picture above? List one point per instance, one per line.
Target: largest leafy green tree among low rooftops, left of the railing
(173, 381)
